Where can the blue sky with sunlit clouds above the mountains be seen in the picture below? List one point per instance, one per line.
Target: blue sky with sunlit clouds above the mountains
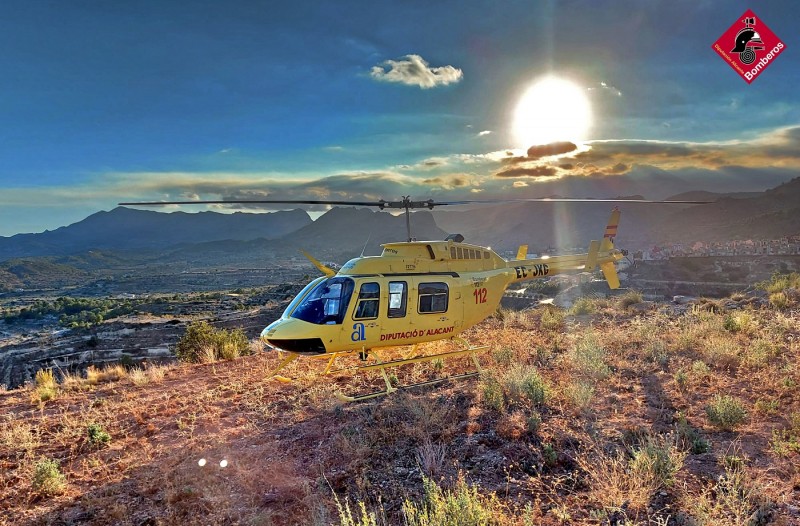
(108, 101)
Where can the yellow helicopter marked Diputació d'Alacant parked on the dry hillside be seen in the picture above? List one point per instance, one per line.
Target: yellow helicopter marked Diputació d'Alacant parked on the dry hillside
(414, 292)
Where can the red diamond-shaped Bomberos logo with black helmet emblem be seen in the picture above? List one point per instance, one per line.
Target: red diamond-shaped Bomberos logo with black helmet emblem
(749, 46)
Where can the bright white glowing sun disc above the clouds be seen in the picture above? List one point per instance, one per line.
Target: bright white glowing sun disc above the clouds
(551, 110)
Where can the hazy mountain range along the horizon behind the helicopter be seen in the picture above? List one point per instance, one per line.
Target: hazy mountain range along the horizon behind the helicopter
(342, 233)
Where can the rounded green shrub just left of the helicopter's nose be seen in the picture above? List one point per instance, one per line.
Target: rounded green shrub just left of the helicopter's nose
(202, 343)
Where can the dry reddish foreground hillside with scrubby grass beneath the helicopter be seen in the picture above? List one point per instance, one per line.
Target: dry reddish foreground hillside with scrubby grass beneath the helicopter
(655, 413)
